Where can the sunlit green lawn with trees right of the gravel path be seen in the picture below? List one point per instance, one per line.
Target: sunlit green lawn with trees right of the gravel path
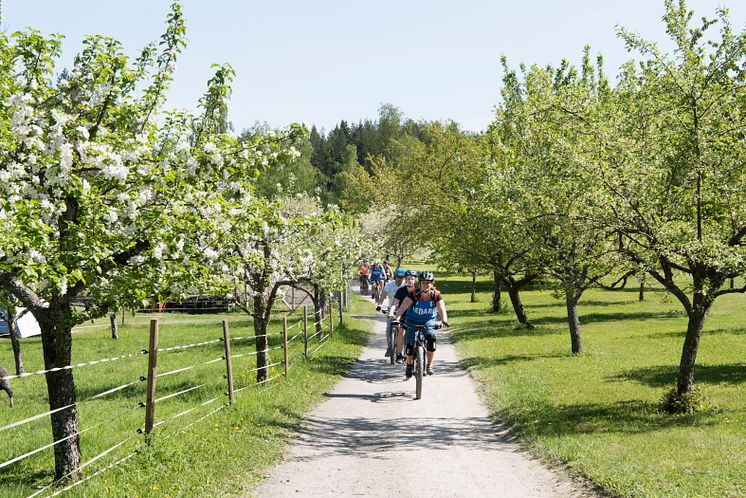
(597, 413)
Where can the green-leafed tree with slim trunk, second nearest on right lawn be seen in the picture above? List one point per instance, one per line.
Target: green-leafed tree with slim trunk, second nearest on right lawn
(548, 113)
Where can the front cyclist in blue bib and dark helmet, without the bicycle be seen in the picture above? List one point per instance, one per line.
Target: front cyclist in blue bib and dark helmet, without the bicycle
(423, 308)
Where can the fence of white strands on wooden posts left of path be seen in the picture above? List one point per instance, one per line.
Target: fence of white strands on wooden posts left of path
(320, 319)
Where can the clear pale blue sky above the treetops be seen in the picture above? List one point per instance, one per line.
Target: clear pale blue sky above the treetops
(323, 61)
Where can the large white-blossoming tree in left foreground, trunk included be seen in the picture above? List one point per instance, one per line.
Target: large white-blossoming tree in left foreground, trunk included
(99, 190)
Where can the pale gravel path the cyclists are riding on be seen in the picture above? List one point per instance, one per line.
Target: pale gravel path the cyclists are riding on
(372, 438)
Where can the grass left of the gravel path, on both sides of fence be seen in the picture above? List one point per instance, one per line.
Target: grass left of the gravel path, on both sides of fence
(221, 455)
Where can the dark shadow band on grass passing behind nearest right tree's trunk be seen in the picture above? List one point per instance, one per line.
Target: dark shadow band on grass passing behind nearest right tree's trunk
(665, 375)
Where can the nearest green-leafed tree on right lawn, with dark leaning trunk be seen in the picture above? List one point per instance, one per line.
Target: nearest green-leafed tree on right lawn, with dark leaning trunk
(674, 169)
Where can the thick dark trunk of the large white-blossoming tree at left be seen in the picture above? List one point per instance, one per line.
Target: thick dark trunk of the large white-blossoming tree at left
(56, 339)
